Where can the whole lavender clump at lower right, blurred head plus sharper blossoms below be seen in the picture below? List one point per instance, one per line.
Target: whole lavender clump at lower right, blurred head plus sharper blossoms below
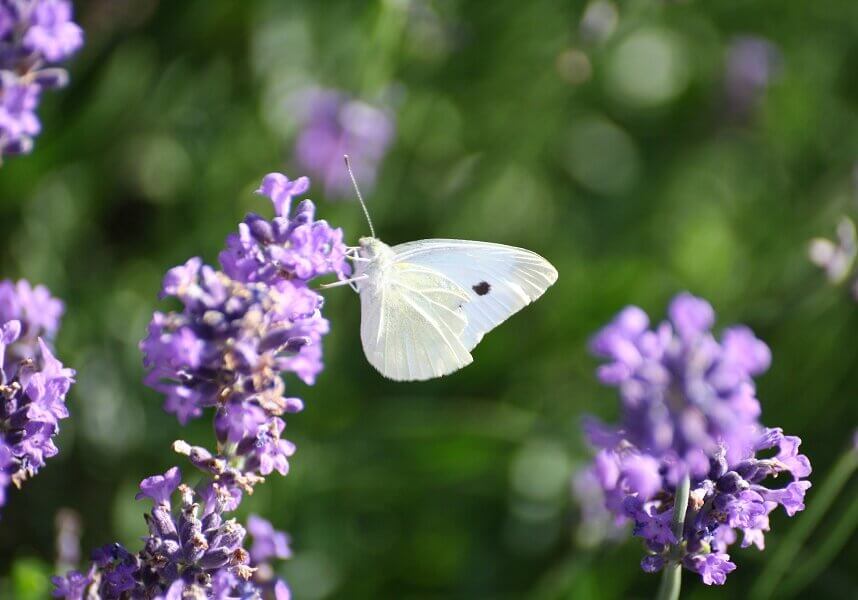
(689, 410)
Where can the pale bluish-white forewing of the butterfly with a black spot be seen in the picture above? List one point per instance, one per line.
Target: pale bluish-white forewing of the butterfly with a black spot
(499, 280)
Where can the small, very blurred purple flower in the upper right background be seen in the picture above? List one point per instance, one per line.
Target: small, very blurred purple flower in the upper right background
(752, 64)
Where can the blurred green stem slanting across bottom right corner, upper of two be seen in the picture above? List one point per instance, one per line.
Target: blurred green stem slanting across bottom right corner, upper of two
(789, 548)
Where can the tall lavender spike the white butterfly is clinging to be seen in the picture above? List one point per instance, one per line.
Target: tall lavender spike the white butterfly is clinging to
(241, 329)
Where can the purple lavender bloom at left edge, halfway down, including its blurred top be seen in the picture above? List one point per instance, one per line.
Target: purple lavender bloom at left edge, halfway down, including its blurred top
(33, 383)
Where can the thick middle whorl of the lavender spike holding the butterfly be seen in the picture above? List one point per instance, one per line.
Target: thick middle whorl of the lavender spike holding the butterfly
(230, 345)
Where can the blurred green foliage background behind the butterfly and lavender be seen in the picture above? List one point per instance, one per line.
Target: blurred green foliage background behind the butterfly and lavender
(622, 141)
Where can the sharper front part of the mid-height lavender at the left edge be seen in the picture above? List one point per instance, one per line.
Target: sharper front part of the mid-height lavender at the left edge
(32, 403)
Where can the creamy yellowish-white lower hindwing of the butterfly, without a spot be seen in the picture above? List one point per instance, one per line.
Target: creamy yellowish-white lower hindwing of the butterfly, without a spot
(412, 322)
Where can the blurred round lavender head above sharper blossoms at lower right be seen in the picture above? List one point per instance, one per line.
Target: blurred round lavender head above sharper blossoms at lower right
(683, 392)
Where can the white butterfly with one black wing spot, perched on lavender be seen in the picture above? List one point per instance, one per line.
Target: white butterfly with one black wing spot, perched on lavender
(426, 304)
